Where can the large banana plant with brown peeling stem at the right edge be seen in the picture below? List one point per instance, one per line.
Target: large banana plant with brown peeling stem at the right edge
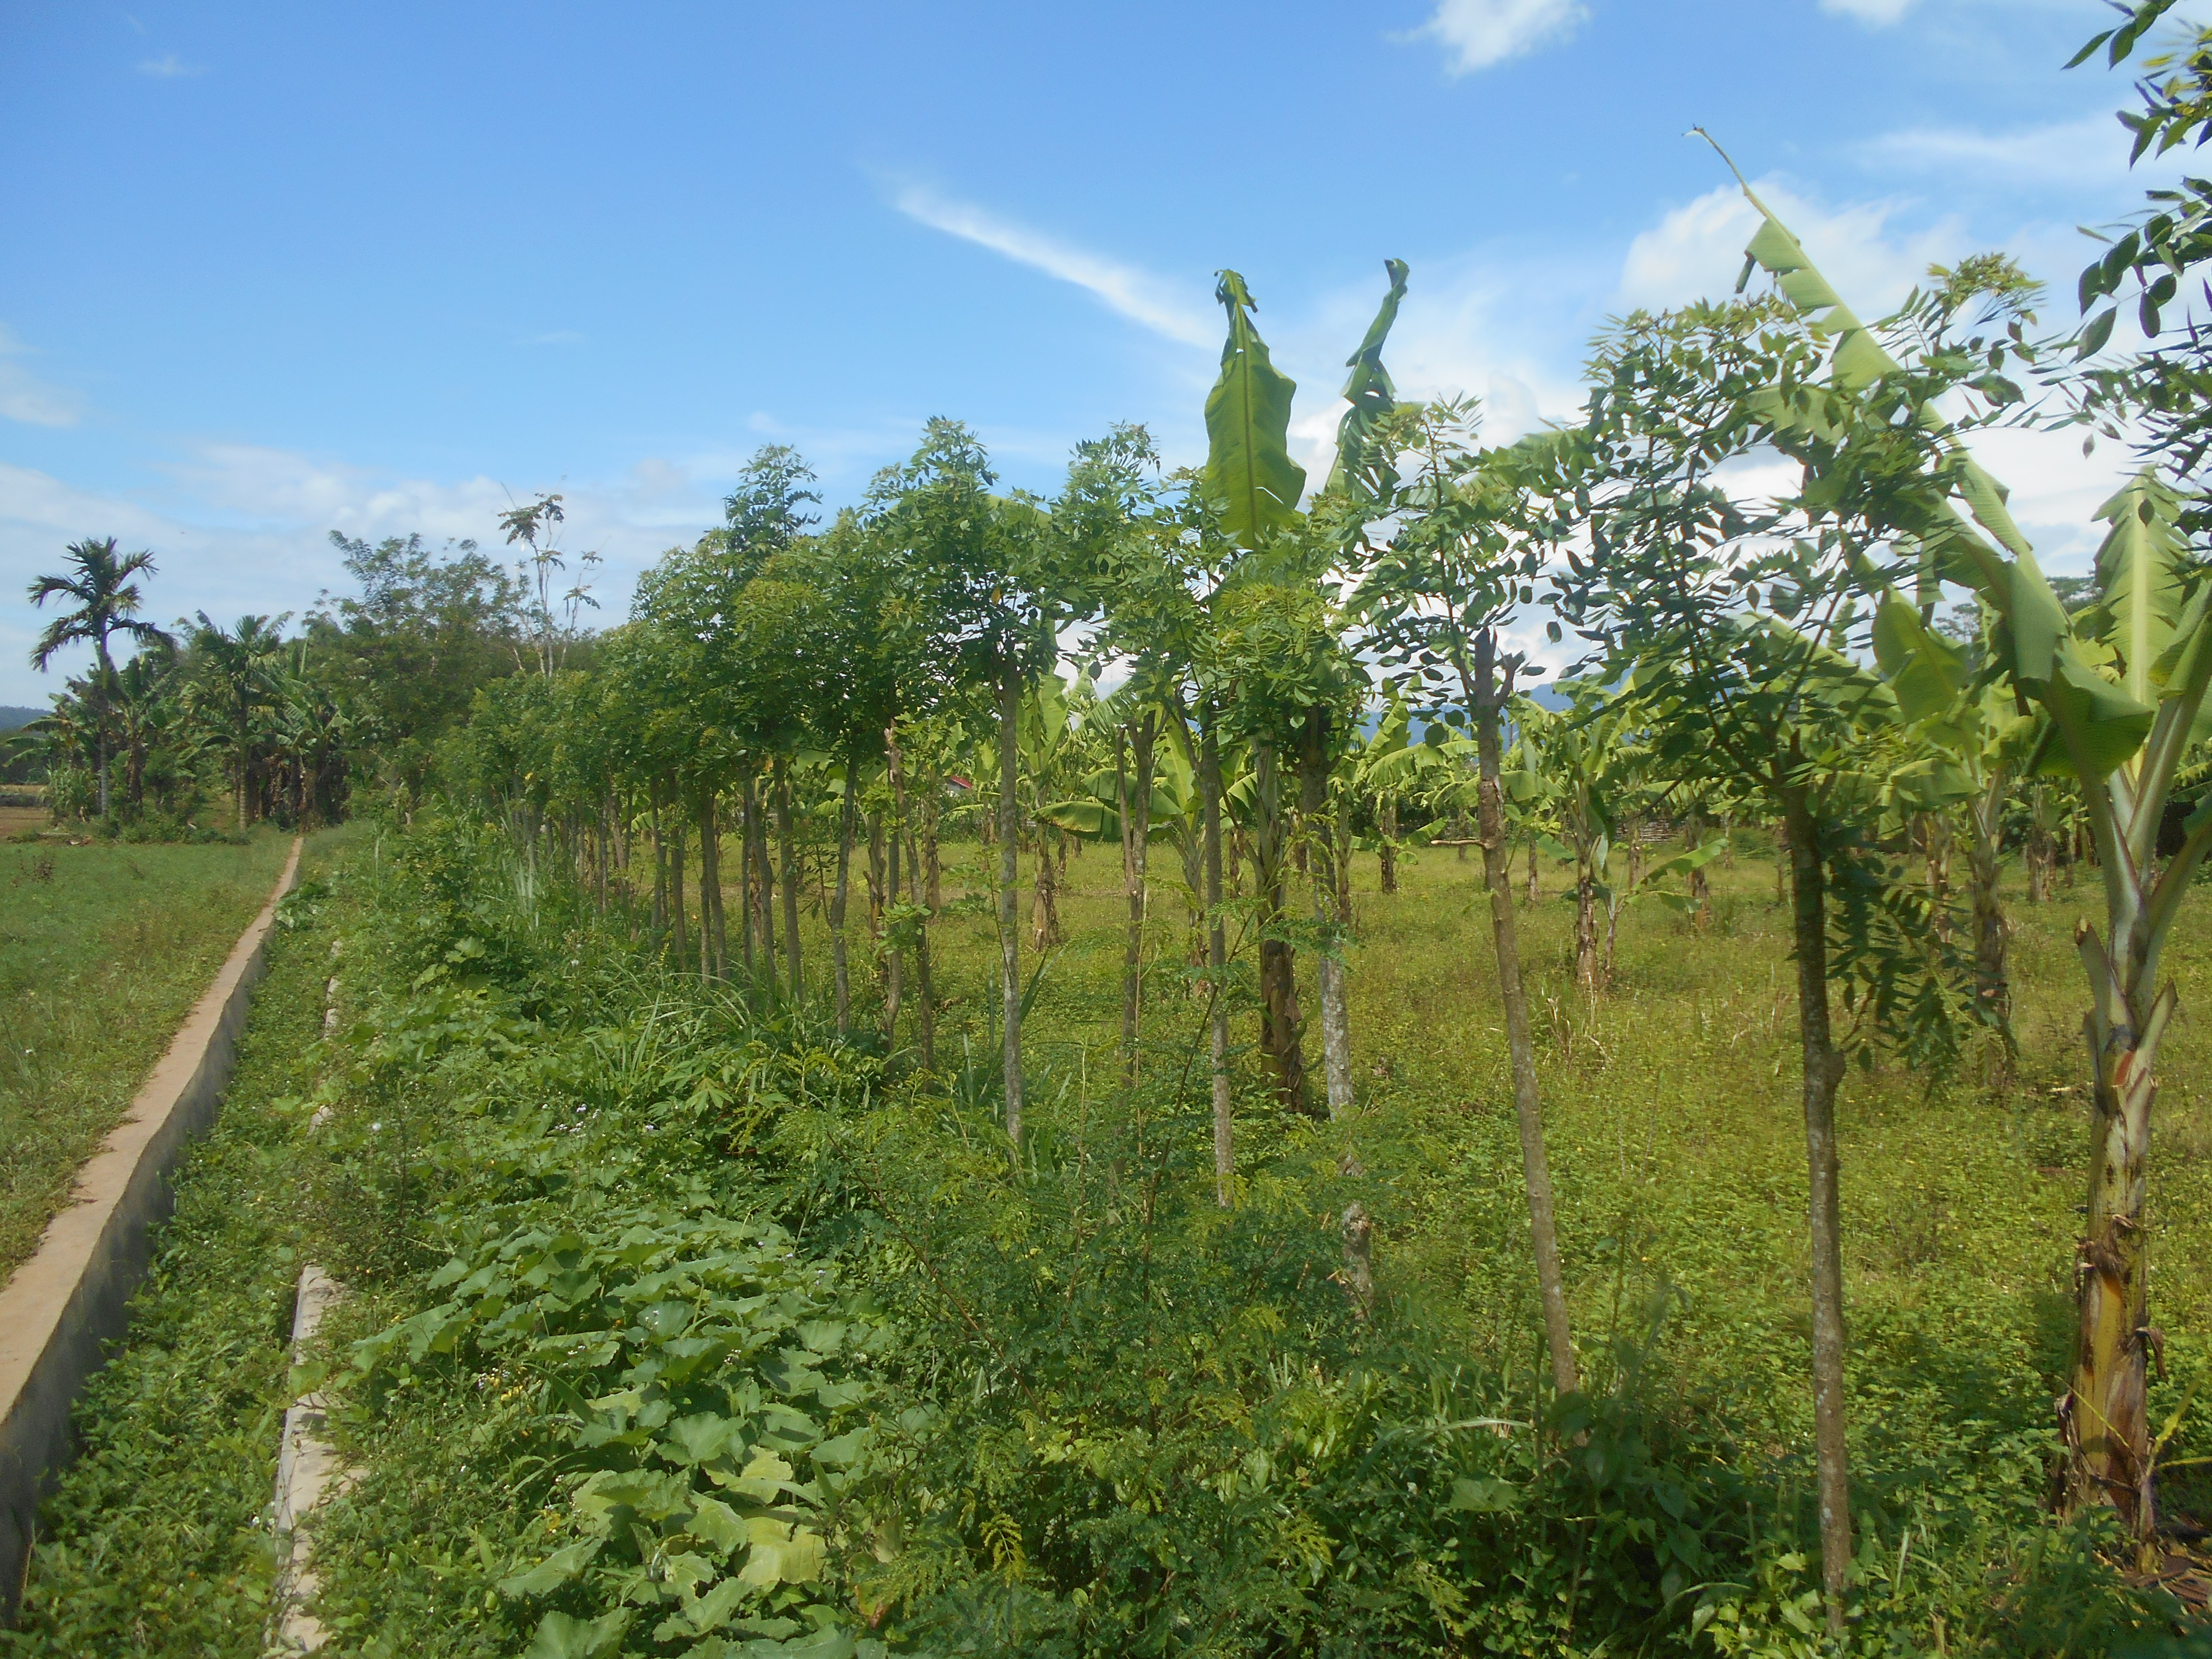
(2125, 689)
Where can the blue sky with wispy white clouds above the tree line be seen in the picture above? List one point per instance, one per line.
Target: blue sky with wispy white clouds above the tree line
(278, 271)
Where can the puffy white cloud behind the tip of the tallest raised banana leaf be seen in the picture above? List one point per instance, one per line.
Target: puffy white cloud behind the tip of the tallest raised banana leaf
(1698, 251)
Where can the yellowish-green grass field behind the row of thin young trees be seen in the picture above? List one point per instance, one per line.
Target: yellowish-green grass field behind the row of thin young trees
(1676, 1138)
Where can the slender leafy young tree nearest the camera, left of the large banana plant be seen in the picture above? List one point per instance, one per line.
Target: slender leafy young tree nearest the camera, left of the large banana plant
(1738, 634)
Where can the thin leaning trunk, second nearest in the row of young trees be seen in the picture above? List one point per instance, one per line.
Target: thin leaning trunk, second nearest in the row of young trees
(1488, 696)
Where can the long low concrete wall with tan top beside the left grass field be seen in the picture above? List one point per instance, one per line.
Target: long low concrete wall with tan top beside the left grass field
(70, 1300)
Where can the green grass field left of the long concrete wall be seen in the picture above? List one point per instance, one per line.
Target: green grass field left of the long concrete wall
(103, 952)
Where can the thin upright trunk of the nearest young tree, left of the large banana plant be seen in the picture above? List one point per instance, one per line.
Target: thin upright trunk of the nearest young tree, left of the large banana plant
(1822, 1076)
